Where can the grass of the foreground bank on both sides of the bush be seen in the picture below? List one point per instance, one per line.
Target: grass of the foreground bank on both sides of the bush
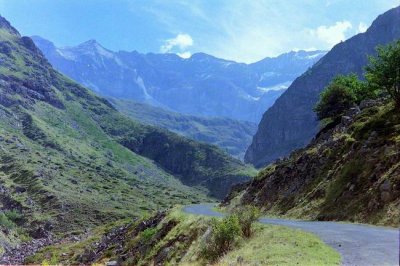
(269, 245)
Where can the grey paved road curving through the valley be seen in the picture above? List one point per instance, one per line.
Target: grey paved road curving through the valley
(361, 245)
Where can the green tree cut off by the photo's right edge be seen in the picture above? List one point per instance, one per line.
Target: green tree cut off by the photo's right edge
(383, 71)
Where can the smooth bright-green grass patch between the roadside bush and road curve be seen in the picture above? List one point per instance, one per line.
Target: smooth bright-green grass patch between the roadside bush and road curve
(278, 245)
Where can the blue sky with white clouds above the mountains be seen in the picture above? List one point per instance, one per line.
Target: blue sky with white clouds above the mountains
(240, 30)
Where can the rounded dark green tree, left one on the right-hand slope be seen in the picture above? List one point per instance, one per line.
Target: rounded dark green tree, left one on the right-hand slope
(335, 100)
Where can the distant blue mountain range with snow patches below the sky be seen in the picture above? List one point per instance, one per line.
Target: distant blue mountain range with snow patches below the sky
(200, 85)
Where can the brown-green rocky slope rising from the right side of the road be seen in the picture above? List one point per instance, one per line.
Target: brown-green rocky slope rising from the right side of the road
(350, 172)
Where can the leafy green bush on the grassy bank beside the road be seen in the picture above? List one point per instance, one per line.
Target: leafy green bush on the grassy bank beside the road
(224, 236)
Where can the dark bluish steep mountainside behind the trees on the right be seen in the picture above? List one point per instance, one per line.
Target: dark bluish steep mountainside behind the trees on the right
(291, 123)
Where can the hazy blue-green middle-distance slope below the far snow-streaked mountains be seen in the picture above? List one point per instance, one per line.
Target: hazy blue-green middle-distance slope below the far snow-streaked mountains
(230, 135)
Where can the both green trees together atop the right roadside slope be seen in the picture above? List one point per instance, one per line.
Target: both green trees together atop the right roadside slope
(382, 75)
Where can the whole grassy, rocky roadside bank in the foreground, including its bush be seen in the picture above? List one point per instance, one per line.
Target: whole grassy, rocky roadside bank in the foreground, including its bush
(177, 238)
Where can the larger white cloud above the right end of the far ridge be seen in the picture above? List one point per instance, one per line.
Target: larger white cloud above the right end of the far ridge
(332, 35)
